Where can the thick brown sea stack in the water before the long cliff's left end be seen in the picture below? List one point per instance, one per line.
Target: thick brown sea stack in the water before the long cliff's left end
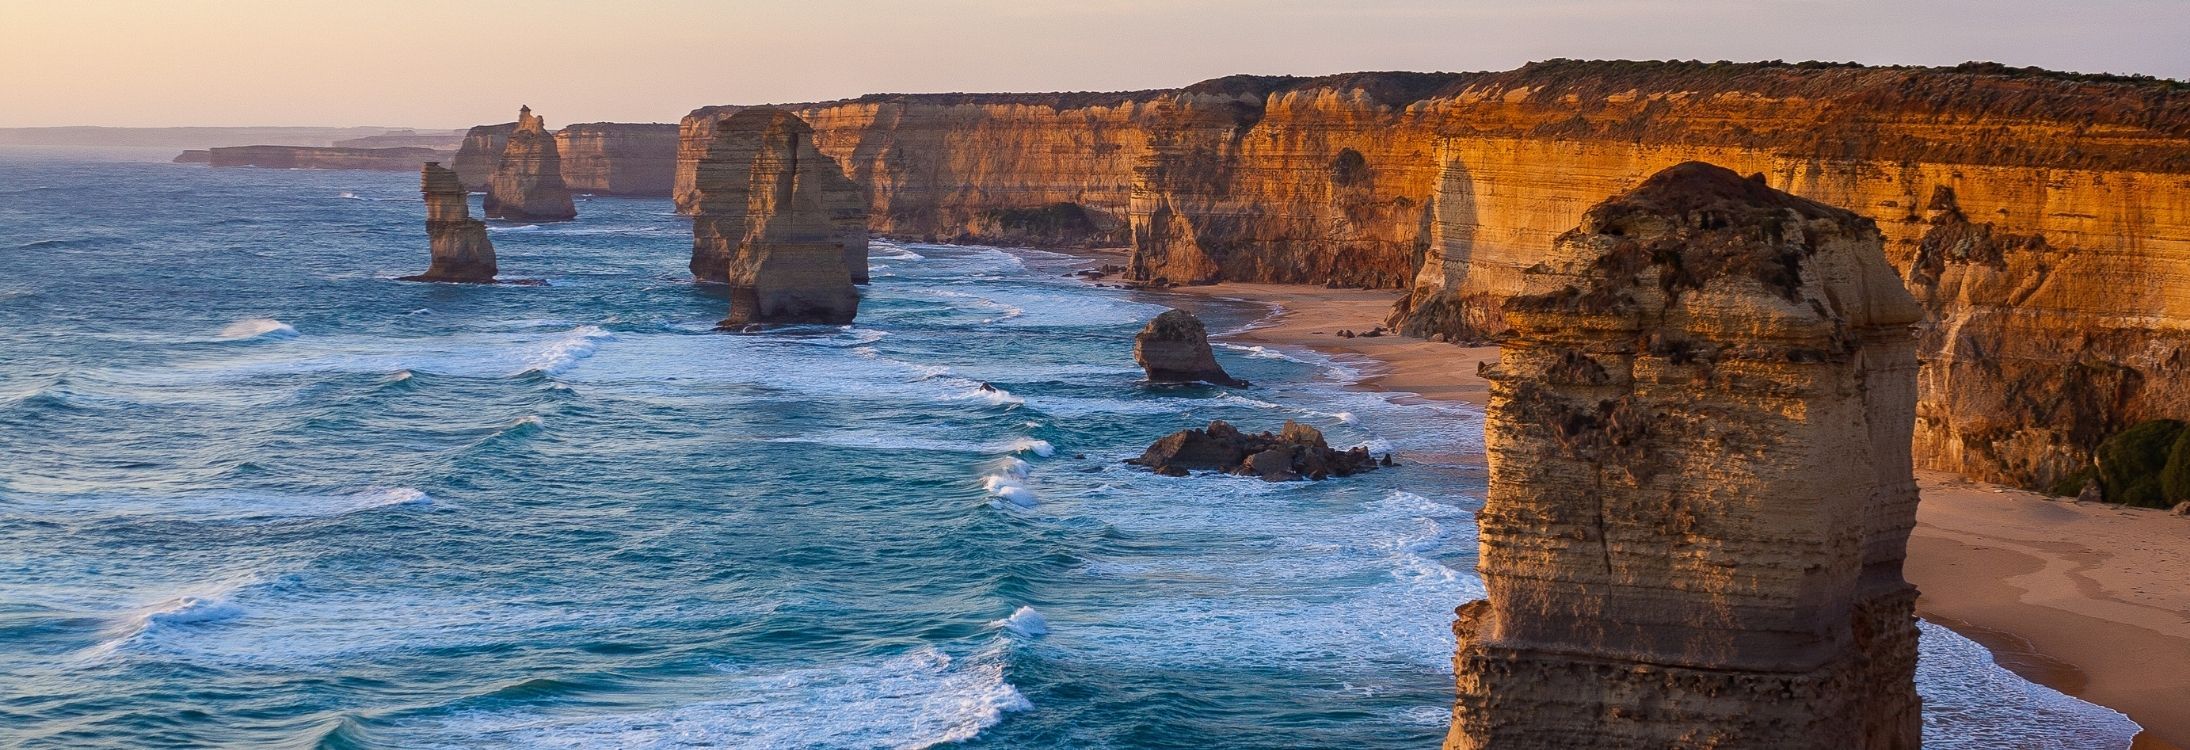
(776, 223)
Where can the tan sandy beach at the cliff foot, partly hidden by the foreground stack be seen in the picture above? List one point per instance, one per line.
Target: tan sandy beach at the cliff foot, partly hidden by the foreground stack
(2088, 600)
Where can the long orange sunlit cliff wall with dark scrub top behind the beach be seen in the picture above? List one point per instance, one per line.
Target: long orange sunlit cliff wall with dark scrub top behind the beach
(2068, 245)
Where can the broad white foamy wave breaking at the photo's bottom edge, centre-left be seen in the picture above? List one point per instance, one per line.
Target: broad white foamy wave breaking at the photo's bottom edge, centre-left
(914, 701)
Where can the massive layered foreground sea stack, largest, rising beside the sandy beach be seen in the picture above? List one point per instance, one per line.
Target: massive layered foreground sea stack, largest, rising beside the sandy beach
(1701, 484)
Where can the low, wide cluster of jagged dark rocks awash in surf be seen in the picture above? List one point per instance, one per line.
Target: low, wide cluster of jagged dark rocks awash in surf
(1293, 453)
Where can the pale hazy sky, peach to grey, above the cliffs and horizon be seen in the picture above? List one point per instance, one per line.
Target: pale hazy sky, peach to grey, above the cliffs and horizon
(461, 62)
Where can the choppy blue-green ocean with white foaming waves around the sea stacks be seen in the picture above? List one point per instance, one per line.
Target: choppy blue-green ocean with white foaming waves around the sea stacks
(260, 495)
